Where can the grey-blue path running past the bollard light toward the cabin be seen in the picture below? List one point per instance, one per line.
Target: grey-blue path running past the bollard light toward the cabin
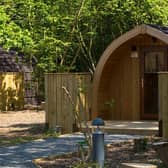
(21, 156)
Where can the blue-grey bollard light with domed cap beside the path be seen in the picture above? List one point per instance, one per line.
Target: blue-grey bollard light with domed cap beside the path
(98, 154)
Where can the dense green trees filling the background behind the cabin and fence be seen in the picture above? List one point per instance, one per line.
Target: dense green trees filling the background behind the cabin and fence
(70, 35)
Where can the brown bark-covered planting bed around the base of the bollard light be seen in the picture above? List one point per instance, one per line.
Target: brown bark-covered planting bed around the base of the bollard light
(116, 154)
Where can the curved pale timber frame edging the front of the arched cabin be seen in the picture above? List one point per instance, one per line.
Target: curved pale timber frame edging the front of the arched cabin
(113, 47)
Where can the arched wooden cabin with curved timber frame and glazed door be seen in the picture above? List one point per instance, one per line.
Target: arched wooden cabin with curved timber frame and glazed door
(126, 79)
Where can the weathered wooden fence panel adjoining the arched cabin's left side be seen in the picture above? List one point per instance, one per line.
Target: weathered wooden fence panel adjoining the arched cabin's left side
(59, 109)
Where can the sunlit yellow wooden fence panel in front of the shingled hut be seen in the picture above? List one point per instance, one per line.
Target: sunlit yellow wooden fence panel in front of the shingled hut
(11, 91)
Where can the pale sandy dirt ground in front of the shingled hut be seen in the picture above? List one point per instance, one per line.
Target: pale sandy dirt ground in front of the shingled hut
(21, 123)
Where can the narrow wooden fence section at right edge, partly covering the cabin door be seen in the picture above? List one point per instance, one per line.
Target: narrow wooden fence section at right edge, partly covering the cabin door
(163, 103)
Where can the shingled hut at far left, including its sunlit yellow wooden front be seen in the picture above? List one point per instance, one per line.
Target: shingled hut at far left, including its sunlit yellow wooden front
(15, 80)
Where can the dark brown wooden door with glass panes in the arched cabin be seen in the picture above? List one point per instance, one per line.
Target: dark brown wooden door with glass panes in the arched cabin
(153, 60)
